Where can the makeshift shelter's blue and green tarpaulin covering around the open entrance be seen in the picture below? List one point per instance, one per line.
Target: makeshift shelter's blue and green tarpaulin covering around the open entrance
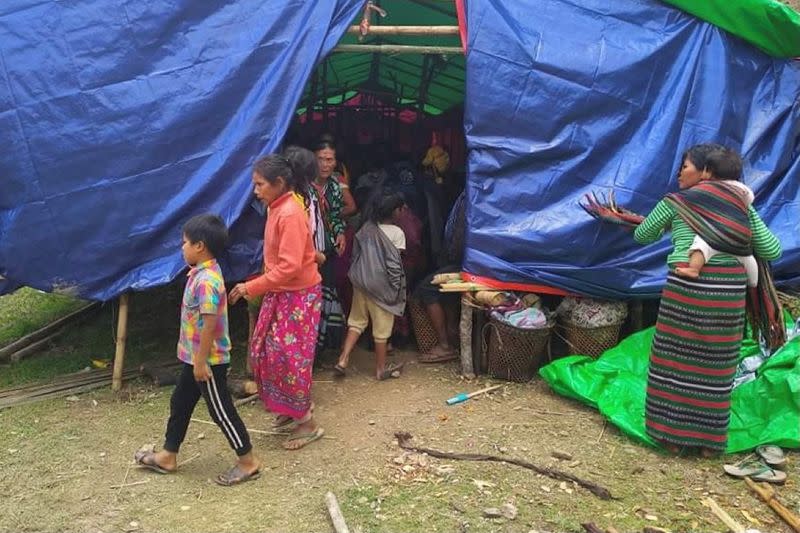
(119, 120)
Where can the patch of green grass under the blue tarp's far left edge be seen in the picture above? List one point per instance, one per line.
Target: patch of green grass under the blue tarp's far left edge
(26, 310)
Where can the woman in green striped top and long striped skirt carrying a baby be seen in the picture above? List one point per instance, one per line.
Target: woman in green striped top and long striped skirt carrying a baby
(700, 321)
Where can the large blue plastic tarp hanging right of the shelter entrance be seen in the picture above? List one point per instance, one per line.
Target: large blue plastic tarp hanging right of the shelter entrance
(567, 97)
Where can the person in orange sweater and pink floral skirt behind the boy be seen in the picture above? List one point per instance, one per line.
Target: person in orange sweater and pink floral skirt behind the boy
(285, 336)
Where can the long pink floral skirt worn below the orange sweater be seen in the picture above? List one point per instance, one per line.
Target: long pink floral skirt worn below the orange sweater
(282, 349)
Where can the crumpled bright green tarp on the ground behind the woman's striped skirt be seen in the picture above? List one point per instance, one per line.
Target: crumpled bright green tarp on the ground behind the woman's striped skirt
(764, 411)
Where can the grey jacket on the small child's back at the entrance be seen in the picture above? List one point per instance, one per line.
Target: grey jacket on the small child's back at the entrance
(377, 269)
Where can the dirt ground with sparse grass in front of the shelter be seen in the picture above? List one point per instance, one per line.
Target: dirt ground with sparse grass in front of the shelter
(63, 461)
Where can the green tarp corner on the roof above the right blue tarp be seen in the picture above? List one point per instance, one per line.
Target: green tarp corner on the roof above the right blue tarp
(767, 24)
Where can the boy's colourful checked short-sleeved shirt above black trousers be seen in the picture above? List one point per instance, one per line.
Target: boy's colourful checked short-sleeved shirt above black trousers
(204, 295)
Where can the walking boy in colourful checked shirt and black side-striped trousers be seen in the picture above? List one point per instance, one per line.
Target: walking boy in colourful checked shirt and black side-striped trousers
(204, 348)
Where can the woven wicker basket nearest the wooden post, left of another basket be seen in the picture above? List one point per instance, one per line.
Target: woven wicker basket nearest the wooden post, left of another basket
(515, 354)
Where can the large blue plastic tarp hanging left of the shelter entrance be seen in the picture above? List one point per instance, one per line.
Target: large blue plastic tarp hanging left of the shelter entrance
(121, 119)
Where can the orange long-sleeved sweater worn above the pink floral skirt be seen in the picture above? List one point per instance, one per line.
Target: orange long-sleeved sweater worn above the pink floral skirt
(288, 250)
